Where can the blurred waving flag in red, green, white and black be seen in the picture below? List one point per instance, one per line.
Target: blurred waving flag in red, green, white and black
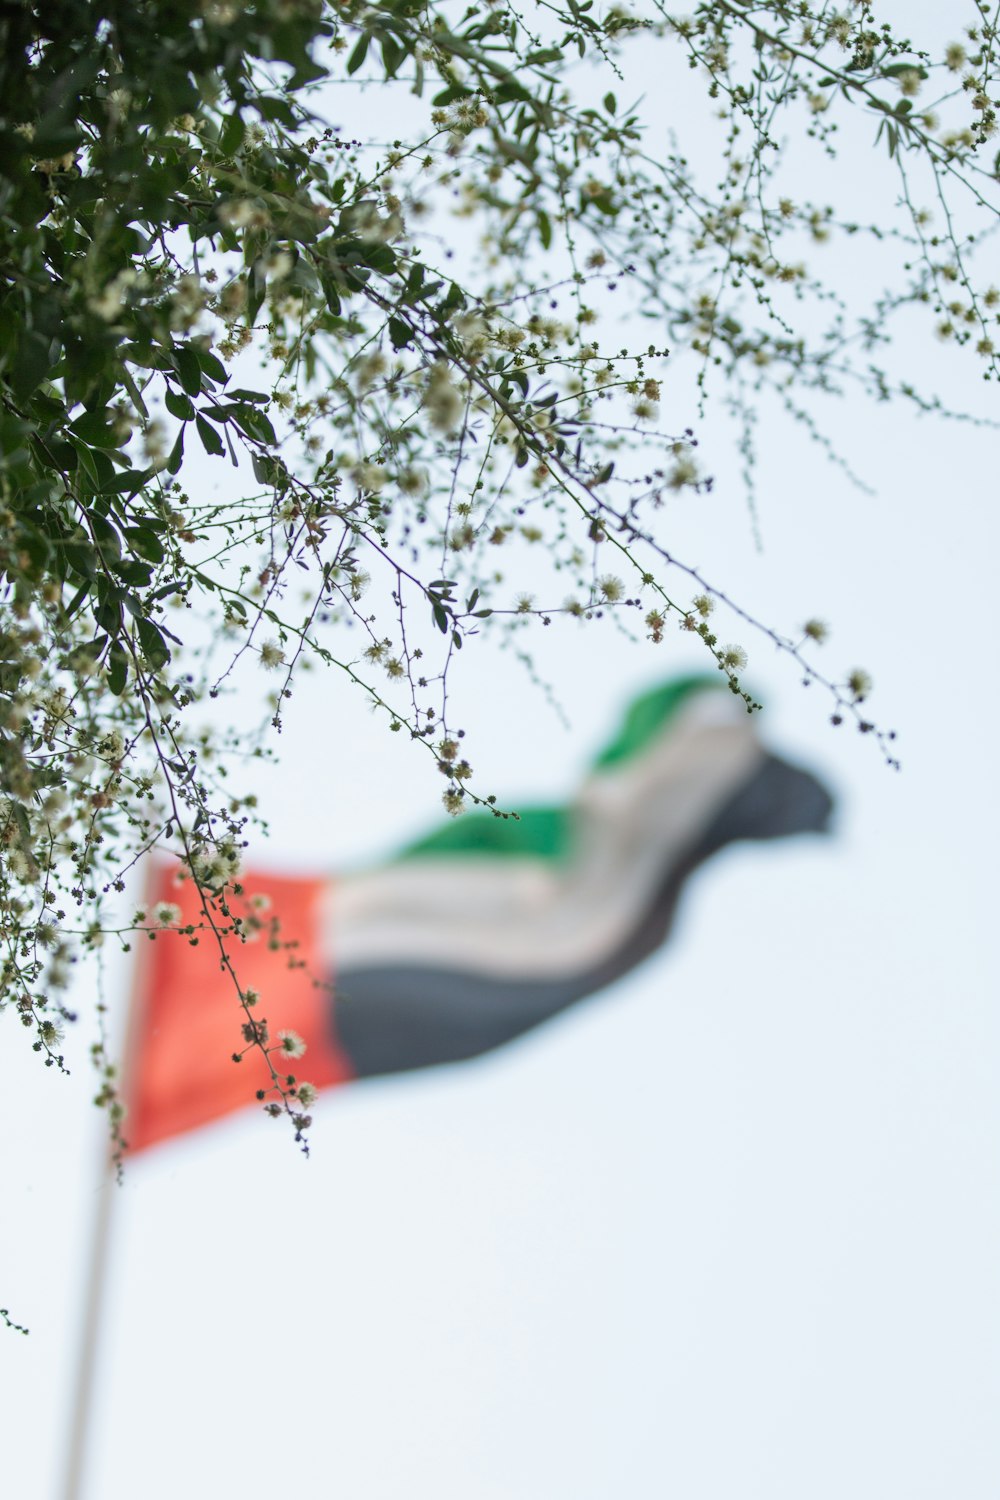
(470, 937)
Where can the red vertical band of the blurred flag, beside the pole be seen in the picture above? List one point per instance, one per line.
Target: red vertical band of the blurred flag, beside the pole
(188, 1016)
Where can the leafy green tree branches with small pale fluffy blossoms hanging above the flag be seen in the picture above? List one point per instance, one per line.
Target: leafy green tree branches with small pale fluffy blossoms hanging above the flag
(275, 392)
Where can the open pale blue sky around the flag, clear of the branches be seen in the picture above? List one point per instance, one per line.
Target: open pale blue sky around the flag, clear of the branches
(728, 1231)
